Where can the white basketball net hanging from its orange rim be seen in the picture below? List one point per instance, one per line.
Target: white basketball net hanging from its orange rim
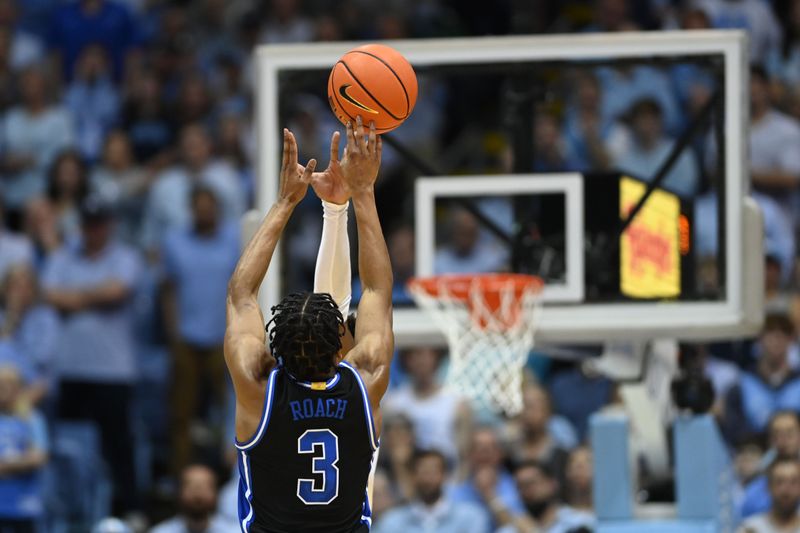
(489, 321)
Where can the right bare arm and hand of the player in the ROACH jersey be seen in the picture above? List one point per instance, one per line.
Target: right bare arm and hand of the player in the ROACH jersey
(372, 353)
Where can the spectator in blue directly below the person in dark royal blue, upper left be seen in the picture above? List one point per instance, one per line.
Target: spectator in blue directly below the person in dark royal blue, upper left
(93, 100)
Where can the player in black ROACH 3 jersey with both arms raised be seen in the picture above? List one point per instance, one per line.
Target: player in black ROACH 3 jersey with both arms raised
(307, 419)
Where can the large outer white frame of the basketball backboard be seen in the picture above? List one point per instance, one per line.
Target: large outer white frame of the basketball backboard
(731, 317)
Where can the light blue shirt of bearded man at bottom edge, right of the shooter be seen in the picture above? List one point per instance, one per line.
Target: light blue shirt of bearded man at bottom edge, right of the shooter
(443, 517)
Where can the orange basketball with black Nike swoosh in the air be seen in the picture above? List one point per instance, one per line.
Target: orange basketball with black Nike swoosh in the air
(376, 82)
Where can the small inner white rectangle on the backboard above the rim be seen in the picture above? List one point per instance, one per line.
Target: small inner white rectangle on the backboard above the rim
(429, 189)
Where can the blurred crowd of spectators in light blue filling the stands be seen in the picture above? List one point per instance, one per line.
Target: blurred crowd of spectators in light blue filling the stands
(127, 159)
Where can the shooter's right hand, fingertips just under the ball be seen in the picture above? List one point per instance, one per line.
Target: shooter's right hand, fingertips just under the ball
(362, 157)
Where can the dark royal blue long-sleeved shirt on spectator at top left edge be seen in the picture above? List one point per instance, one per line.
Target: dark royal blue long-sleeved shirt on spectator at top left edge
(112, 26)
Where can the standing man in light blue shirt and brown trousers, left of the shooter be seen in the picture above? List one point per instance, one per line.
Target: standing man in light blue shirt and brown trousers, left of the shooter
(198, 261)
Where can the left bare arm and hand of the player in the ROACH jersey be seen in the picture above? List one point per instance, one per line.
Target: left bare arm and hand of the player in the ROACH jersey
(245, 338)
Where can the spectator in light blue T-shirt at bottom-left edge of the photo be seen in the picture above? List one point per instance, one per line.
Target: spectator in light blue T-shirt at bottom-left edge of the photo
(23, 452)
